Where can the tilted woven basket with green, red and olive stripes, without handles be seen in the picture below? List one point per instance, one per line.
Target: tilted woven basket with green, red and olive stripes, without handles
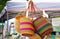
(43, 26)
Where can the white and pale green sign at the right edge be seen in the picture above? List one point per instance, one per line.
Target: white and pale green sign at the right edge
(56, 24)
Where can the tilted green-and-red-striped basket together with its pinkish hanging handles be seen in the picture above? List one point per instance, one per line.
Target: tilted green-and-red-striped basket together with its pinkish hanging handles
(41, 24)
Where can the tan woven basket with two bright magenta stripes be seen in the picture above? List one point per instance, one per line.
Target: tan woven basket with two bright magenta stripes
(26, 27)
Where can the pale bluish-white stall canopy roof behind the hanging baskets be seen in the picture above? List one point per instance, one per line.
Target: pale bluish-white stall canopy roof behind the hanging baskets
(11, 5)
